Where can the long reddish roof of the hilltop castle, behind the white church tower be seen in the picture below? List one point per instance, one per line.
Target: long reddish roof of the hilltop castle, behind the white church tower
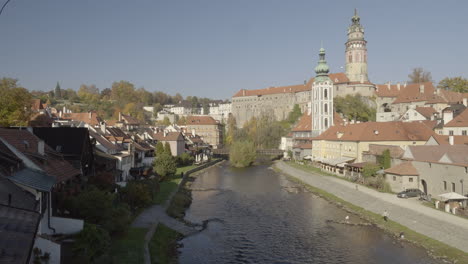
(335, 77)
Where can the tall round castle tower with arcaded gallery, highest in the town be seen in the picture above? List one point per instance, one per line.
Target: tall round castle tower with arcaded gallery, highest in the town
(356, 51)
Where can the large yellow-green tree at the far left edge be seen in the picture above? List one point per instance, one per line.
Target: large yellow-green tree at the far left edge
(15, 103)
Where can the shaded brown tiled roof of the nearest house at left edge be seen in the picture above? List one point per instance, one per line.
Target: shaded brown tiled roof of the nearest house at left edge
(54, 164)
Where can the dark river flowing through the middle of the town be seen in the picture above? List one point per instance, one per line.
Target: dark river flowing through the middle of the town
(259, 216)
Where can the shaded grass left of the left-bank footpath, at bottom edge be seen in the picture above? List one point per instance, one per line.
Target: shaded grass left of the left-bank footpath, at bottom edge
(128, 247)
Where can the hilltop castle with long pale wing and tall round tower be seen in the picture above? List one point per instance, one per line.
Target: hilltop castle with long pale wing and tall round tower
(279, 101)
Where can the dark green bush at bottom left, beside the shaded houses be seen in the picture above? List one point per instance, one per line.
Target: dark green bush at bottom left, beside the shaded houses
(91, 243)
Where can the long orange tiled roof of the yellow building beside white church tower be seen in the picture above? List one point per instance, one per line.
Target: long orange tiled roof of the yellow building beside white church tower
(378, 131)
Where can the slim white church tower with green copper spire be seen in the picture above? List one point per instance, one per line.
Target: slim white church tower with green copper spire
(322, 97)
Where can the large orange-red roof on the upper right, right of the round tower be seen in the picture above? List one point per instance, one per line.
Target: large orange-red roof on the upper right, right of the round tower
(412, 93)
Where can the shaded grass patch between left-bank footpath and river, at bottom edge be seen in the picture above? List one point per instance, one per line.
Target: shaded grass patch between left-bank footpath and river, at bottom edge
(163, 245)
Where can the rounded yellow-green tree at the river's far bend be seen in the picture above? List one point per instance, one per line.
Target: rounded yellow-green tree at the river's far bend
(242, 154)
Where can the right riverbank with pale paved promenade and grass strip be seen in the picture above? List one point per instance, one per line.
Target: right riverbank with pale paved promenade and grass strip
(420, 225)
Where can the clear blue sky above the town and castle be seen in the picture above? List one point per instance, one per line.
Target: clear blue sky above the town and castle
(213, 48)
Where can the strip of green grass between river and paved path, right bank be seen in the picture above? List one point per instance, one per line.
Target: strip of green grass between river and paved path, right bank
(435, 248)
